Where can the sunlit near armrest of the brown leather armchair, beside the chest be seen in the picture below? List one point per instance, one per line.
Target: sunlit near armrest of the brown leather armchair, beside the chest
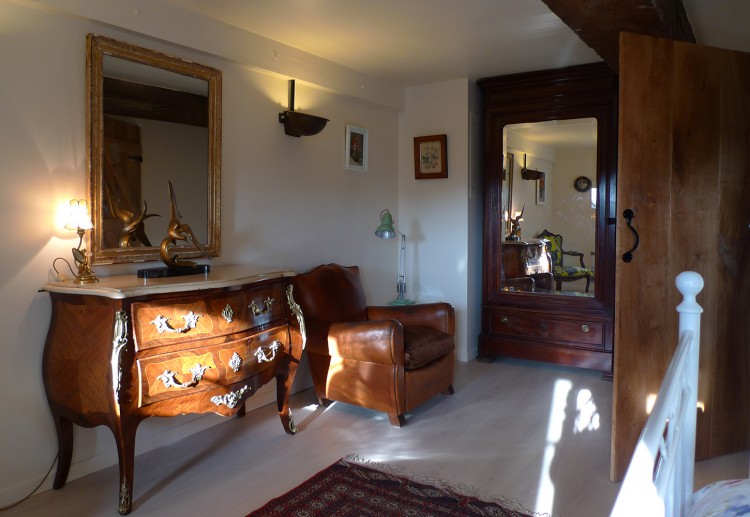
(371, 341)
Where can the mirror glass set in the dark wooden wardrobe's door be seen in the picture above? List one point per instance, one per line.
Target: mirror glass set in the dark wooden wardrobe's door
(549, 201)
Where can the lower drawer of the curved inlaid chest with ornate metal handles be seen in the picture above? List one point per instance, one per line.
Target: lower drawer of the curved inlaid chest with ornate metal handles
(200, 369)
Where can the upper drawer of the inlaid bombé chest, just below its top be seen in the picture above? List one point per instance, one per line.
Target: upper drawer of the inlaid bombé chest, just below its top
(189, 318)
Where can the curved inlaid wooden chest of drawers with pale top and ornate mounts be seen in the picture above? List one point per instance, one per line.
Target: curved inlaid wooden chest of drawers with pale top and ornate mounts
(125, 349)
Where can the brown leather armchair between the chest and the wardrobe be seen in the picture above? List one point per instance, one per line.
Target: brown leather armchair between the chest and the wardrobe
(389, 358)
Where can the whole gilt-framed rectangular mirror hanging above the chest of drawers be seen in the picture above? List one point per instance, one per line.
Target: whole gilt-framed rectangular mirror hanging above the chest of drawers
(152, 119)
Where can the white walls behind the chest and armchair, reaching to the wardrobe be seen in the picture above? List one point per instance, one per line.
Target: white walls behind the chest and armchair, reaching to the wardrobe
(286, 202)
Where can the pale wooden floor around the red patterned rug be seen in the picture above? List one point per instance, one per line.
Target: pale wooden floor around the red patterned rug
(534, 432)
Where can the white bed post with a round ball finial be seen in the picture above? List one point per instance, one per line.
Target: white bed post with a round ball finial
(689, 283)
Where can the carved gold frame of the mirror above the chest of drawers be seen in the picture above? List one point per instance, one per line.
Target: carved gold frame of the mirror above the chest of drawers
(100, 48)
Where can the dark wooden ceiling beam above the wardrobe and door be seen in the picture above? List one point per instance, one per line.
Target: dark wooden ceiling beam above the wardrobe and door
(599, 22)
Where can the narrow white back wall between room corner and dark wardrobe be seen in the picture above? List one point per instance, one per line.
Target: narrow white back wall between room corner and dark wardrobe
(435, 213)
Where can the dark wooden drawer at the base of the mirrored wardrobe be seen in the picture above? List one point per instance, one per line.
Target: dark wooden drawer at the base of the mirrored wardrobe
(589, 333)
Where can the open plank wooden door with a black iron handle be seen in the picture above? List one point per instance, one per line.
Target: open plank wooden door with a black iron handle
(684, 171)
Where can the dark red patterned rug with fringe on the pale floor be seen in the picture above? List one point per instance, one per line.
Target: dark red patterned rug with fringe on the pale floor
(353, 487)
